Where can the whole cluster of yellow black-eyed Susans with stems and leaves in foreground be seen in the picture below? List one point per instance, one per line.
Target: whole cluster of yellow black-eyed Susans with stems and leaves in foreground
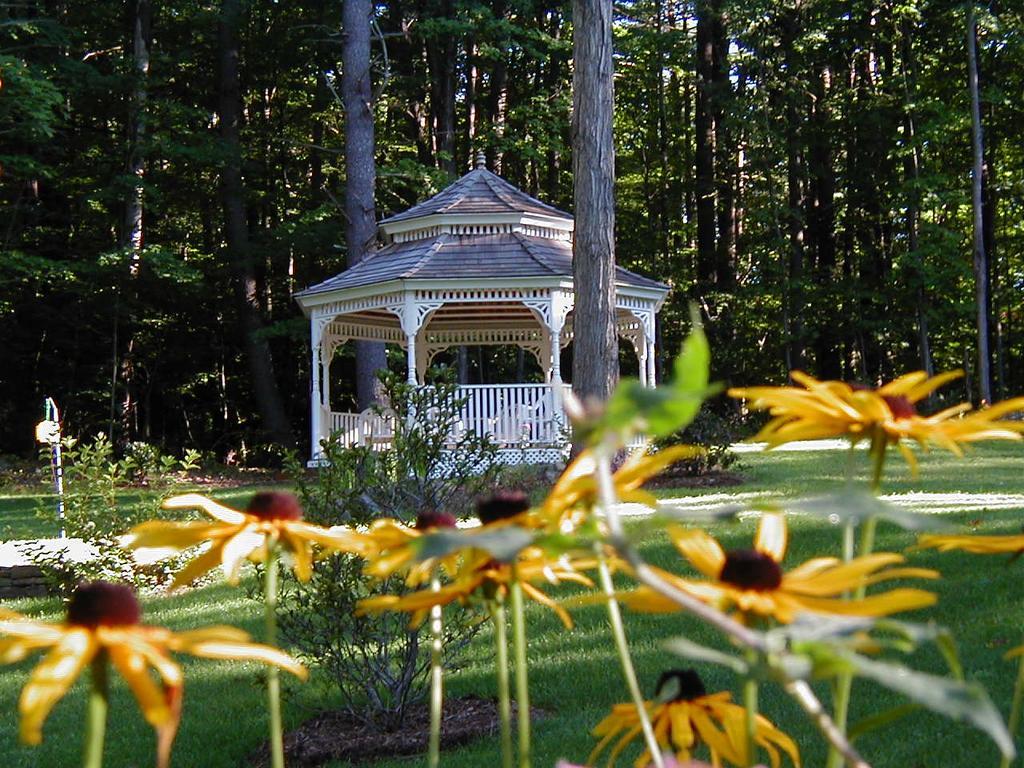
(825, 621)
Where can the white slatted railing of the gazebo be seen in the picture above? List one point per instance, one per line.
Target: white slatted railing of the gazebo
(513, 415)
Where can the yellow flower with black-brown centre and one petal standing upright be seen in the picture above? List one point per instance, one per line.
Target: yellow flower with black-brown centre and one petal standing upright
(753, 581)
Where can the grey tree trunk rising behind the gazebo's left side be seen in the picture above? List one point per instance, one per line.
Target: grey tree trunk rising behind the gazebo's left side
(361, 174)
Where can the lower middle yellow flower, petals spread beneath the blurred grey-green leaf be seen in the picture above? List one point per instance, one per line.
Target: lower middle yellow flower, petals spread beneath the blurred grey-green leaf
(482, 576)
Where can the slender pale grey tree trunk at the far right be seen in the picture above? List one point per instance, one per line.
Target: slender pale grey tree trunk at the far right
(980, 258)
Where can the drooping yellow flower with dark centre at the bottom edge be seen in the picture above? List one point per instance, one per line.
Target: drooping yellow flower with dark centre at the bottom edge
(689, 717)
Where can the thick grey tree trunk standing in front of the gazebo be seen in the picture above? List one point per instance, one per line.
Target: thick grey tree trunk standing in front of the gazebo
(595, 359)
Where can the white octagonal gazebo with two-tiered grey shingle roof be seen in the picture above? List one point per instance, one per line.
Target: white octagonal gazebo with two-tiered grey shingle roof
(480, 264)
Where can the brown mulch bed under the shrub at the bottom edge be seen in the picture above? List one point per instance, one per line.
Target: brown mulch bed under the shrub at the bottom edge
(336, 736)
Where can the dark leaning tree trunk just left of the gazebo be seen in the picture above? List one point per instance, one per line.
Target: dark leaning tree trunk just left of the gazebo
(236, 231)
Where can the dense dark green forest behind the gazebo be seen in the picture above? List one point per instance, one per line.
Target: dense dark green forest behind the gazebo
(801, 169)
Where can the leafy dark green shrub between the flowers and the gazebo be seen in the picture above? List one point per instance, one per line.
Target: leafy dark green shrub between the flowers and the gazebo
(377, 663)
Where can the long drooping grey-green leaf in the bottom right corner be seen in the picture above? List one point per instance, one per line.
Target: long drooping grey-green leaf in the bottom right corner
(955, 699)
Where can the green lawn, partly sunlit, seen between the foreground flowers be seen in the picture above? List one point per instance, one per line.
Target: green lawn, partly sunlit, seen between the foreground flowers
(574, 675)
